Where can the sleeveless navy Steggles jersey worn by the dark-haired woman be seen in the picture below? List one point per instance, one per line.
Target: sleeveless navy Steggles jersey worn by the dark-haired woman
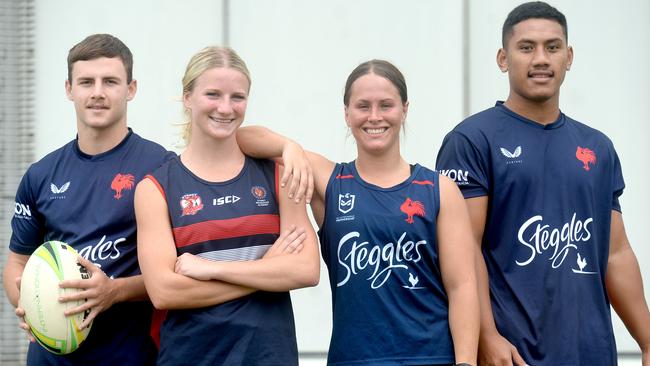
(380, 247)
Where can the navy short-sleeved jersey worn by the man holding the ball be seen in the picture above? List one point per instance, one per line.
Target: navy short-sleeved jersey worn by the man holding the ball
(87, 202)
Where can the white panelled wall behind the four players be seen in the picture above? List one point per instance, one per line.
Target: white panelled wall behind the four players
(300, 52)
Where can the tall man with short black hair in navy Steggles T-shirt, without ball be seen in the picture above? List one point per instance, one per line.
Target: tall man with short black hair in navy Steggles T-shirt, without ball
(542, 191)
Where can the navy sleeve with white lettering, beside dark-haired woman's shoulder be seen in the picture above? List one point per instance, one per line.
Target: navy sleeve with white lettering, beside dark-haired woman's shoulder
(460, 160)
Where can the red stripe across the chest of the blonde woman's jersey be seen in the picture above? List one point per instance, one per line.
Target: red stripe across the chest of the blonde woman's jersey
(225, 229)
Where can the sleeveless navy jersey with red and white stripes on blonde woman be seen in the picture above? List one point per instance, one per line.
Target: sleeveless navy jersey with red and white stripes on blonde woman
(235, 220)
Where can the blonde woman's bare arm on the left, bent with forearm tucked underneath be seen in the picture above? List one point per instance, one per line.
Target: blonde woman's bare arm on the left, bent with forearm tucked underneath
(157, 256)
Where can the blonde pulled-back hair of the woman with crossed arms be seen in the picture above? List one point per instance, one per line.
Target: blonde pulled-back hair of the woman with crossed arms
(206, 59)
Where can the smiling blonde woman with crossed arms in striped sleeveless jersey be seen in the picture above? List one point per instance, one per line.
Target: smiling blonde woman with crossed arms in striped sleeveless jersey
(209, 225)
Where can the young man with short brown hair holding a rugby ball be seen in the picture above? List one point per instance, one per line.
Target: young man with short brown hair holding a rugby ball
(82, 194)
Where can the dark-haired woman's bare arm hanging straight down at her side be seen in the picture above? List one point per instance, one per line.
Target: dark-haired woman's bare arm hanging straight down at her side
(457, 253)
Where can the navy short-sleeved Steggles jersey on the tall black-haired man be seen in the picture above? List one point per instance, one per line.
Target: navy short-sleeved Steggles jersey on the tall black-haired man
(551, 191)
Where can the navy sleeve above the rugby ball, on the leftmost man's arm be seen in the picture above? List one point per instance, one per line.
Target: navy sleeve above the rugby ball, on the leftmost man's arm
(27, 223)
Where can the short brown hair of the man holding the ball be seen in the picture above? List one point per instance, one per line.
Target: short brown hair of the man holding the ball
(101, 45)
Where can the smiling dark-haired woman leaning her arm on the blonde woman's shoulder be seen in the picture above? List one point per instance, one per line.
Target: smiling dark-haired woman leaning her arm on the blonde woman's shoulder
(396, 237)
